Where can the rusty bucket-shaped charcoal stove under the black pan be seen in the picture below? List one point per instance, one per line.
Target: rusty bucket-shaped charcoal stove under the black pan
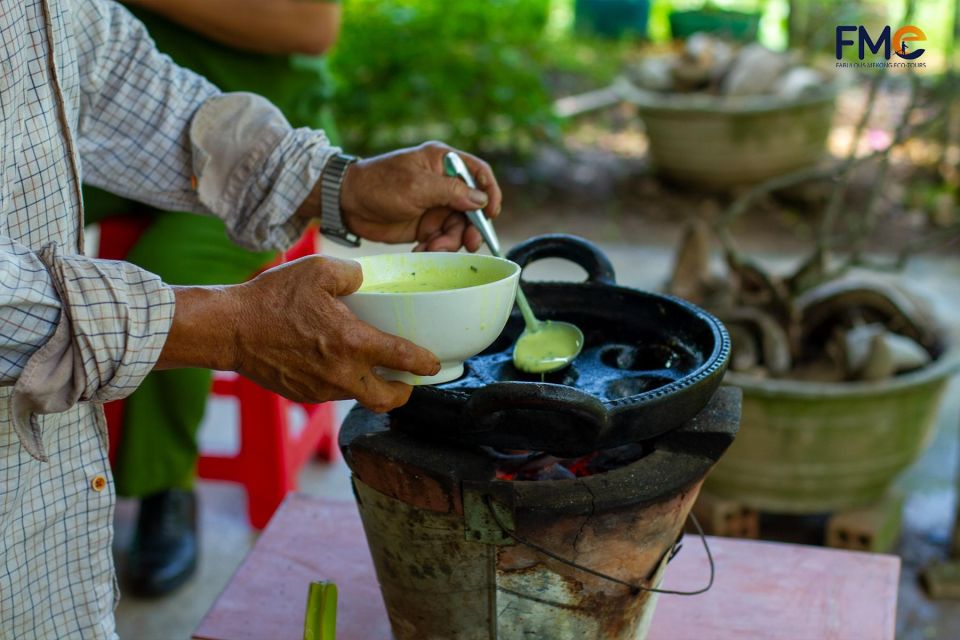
(464, 549)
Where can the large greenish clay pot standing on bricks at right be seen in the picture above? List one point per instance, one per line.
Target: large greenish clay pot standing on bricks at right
(807, 447)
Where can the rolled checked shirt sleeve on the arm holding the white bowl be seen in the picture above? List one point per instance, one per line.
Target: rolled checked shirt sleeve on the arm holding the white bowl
(74, 329)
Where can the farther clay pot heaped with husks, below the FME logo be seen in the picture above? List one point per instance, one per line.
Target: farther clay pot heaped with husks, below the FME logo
(719, 116)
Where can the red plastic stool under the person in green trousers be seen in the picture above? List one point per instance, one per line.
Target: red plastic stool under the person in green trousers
(270, 455)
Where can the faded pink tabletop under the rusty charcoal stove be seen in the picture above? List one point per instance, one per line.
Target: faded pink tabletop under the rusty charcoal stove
(763, 590)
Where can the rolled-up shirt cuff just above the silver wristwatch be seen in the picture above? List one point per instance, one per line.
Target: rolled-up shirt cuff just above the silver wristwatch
(253, 170)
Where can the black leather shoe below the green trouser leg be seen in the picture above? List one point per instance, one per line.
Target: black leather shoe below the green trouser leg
(164, 551)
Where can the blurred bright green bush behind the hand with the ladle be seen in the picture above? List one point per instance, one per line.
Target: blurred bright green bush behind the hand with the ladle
(470, 73)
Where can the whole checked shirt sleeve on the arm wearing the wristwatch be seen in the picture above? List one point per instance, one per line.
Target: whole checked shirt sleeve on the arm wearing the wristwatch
(155, 132)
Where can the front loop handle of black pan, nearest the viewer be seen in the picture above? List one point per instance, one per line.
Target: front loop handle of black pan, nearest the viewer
(512, 396)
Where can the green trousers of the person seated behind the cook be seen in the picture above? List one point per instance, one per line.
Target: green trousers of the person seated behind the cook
(158, 445)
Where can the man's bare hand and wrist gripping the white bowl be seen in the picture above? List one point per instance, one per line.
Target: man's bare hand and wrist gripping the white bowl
(287, 331)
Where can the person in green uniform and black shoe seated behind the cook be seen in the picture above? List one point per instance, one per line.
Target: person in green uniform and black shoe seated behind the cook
(270, 48)
